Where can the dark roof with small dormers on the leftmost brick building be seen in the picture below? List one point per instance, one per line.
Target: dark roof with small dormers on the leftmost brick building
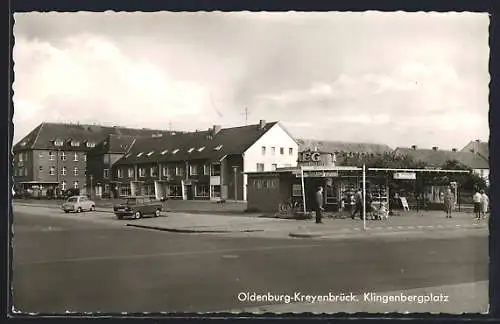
(42, 137)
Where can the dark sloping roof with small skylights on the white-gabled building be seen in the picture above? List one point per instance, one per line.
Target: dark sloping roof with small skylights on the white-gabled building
(235, 140)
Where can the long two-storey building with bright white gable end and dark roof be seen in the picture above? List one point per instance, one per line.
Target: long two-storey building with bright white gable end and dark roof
(205, 164)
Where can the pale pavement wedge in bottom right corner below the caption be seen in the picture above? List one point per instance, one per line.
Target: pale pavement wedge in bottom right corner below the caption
(450, 299)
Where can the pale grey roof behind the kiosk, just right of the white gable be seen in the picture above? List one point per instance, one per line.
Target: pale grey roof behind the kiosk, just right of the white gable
(338, 146)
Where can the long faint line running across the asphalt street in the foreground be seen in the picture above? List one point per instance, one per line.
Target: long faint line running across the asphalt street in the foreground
(168, 254)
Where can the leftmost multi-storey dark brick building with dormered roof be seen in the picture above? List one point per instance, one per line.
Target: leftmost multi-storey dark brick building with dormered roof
(53, 157)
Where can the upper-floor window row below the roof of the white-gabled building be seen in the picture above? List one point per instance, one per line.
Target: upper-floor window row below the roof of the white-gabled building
(168, 171)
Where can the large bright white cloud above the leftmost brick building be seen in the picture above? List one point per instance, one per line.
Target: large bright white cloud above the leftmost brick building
(87, 78)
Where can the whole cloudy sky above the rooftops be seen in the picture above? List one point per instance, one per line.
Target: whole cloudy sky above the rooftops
(398, 78)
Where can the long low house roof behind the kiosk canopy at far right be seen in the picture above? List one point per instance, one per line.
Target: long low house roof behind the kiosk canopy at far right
(437, 158)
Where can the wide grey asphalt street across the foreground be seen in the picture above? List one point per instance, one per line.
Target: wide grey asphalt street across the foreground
(66, 265)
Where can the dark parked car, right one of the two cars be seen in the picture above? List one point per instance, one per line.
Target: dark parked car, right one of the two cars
(138, 207)
